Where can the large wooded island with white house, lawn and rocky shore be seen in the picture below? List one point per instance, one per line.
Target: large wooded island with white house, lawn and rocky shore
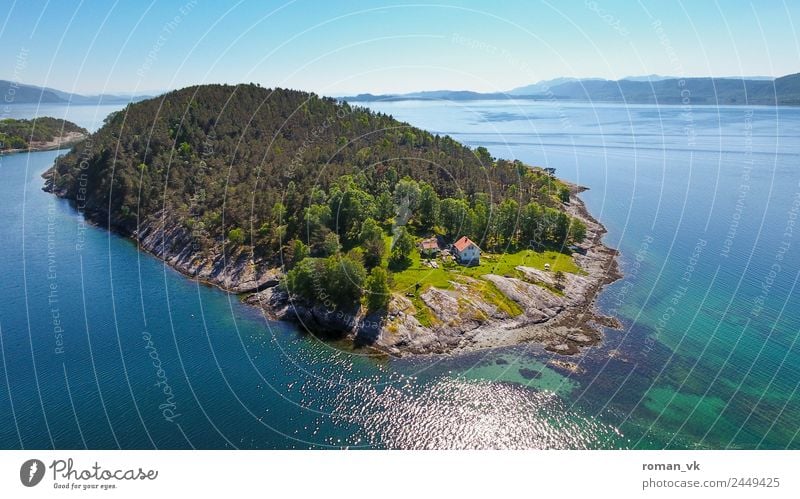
(346, 221)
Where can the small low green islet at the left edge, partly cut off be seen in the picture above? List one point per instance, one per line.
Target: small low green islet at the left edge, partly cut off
(41, 134)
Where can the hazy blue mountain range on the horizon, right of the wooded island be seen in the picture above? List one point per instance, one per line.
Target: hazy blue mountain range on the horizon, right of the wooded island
(651, 89)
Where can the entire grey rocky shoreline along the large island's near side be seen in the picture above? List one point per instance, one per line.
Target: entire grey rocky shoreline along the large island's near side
(462, 320)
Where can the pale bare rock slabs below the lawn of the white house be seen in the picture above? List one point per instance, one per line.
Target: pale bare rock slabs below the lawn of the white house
(563, 322)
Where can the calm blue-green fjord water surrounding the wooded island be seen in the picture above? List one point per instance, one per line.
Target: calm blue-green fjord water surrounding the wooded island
(700, 201)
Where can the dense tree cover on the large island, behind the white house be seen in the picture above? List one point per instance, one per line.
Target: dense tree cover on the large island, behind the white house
(308, 182)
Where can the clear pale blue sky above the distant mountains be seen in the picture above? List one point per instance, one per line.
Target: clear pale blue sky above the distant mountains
(346, 47)
